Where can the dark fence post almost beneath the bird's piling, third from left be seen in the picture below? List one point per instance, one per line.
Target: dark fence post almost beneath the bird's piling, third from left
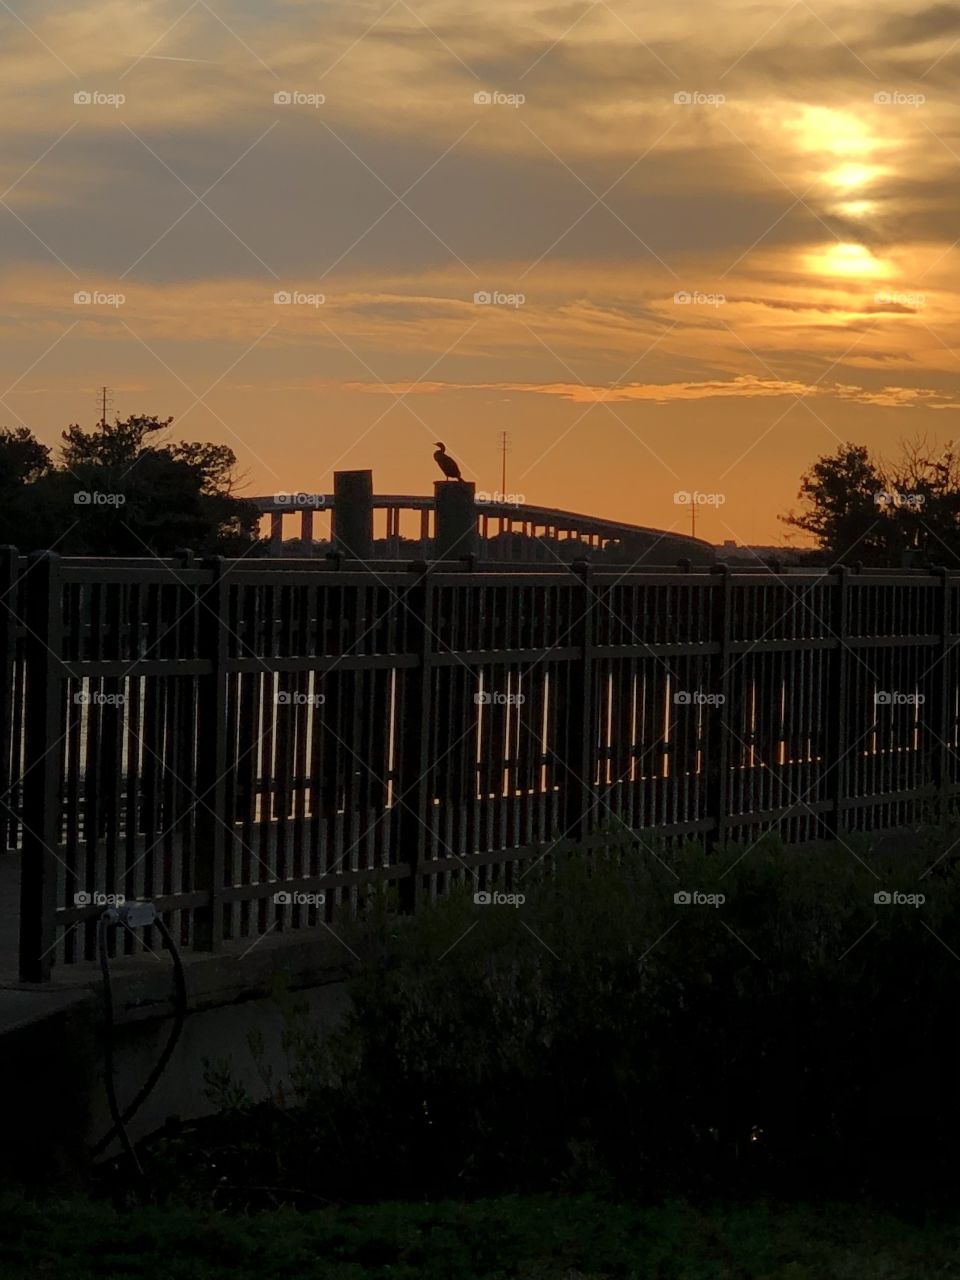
(414, 785)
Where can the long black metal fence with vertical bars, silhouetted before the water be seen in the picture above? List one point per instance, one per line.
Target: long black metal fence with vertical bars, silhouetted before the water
(235, 740)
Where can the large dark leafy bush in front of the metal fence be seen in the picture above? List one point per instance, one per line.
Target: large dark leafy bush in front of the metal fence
(797, 1037)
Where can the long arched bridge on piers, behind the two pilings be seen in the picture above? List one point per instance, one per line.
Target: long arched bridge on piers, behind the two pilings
(368, 525)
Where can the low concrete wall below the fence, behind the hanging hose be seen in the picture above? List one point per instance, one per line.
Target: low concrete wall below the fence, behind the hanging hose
(52, 1046)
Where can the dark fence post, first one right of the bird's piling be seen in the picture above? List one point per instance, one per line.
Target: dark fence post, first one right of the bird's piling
(579, 742)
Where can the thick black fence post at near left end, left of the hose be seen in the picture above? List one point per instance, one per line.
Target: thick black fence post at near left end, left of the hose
(42, 764)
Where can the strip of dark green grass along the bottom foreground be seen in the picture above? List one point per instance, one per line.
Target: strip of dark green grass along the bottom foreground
(536, 1238)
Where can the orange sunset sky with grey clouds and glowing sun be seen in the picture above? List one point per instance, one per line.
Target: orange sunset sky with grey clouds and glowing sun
(793, 168)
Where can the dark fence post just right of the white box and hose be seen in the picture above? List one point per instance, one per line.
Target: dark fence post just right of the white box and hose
(212, 758)
